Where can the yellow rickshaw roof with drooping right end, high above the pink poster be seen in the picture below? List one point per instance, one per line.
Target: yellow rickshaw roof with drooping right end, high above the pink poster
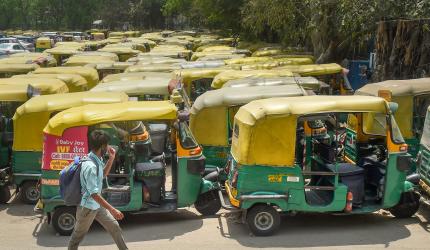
(91, 75)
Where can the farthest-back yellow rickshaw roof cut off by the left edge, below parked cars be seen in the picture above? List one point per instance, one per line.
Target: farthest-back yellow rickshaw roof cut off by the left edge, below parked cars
(41, 59)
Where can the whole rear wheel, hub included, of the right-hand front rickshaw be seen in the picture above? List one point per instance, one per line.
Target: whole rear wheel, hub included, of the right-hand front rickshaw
(263, 220)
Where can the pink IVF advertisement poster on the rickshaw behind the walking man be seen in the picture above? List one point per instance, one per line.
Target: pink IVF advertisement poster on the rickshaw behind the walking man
(59, 151)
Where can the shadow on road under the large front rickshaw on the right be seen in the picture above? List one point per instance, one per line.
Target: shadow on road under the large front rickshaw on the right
(323, 230)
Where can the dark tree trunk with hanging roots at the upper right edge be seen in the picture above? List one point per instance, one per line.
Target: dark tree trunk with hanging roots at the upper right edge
(402, 49)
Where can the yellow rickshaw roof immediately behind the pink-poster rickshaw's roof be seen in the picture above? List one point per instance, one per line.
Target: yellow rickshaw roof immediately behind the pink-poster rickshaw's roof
(148, 89)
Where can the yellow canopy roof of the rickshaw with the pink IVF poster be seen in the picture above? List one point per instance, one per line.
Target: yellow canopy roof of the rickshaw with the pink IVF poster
(100, 113)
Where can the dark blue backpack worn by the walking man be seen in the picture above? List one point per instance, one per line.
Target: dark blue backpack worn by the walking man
(70, 181)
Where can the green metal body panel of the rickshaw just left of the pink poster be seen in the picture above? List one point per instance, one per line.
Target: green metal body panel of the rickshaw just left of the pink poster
(26, 162)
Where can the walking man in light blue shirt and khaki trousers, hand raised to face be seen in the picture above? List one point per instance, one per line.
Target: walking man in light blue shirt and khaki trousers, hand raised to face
(93, 206)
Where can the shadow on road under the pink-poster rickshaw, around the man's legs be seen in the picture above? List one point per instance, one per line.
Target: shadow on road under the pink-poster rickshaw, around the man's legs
(136, 228)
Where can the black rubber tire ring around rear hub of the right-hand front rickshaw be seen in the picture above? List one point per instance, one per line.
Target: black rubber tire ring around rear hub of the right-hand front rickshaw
(256, 211)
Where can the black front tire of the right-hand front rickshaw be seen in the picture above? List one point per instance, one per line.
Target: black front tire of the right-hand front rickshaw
(408, 205)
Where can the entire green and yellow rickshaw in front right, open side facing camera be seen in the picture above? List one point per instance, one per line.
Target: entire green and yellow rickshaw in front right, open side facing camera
(270, 170)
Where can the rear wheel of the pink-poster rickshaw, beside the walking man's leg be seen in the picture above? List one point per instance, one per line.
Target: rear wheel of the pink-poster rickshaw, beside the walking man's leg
(64, 220)
